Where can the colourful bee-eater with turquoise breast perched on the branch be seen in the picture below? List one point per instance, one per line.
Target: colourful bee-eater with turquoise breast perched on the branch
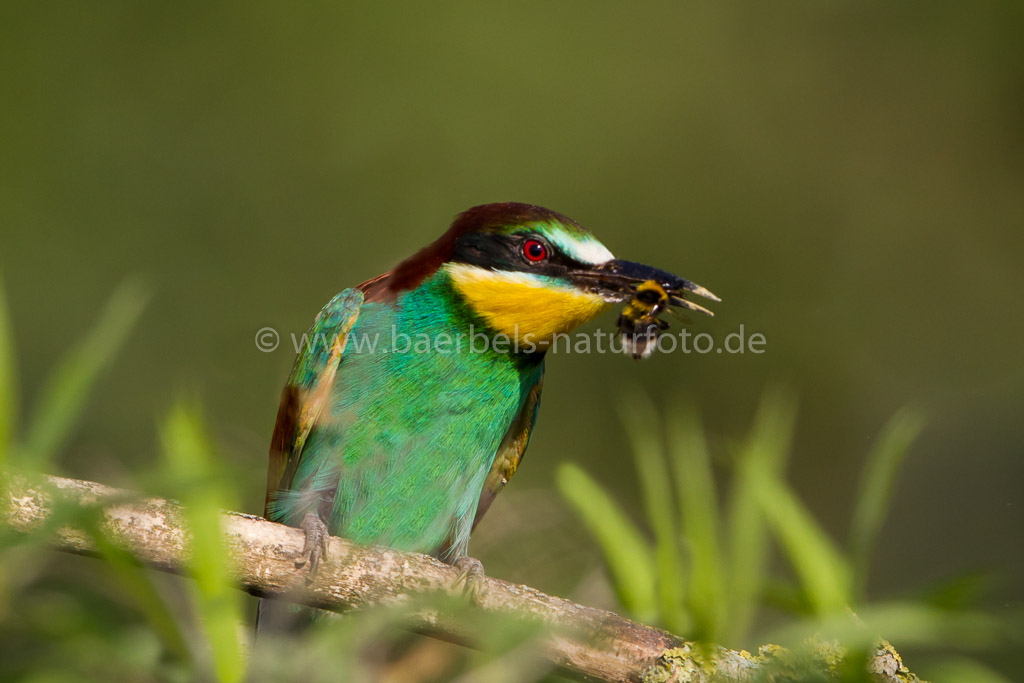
(415, 395)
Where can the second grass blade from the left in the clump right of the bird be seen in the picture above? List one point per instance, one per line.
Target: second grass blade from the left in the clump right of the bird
(641, 417)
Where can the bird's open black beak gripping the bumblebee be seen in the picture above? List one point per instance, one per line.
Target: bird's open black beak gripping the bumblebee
(617, 282)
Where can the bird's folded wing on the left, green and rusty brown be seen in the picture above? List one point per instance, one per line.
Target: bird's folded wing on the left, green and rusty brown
(309, 389)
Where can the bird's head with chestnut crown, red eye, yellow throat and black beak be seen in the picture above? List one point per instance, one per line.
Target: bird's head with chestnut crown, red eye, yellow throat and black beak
(529, 272)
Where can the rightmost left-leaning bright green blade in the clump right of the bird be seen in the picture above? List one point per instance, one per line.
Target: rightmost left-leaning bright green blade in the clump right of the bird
(824, 573)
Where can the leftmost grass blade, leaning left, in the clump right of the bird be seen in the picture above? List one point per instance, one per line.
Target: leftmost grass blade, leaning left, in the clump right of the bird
(626, 551)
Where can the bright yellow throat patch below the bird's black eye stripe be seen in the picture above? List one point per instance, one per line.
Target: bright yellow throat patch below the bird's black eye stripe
(522, 306)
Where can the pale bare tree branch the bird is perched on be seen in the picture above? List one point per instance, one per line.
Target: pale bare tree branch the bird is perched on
(582, 641)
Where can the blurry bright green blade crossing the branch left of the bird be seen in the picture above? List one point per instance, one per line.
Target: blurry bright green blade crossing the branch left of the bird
(190, 461)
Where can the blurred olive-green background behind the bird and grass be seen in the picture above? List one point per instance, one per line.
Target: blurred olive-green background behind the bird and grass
(849, 178)
